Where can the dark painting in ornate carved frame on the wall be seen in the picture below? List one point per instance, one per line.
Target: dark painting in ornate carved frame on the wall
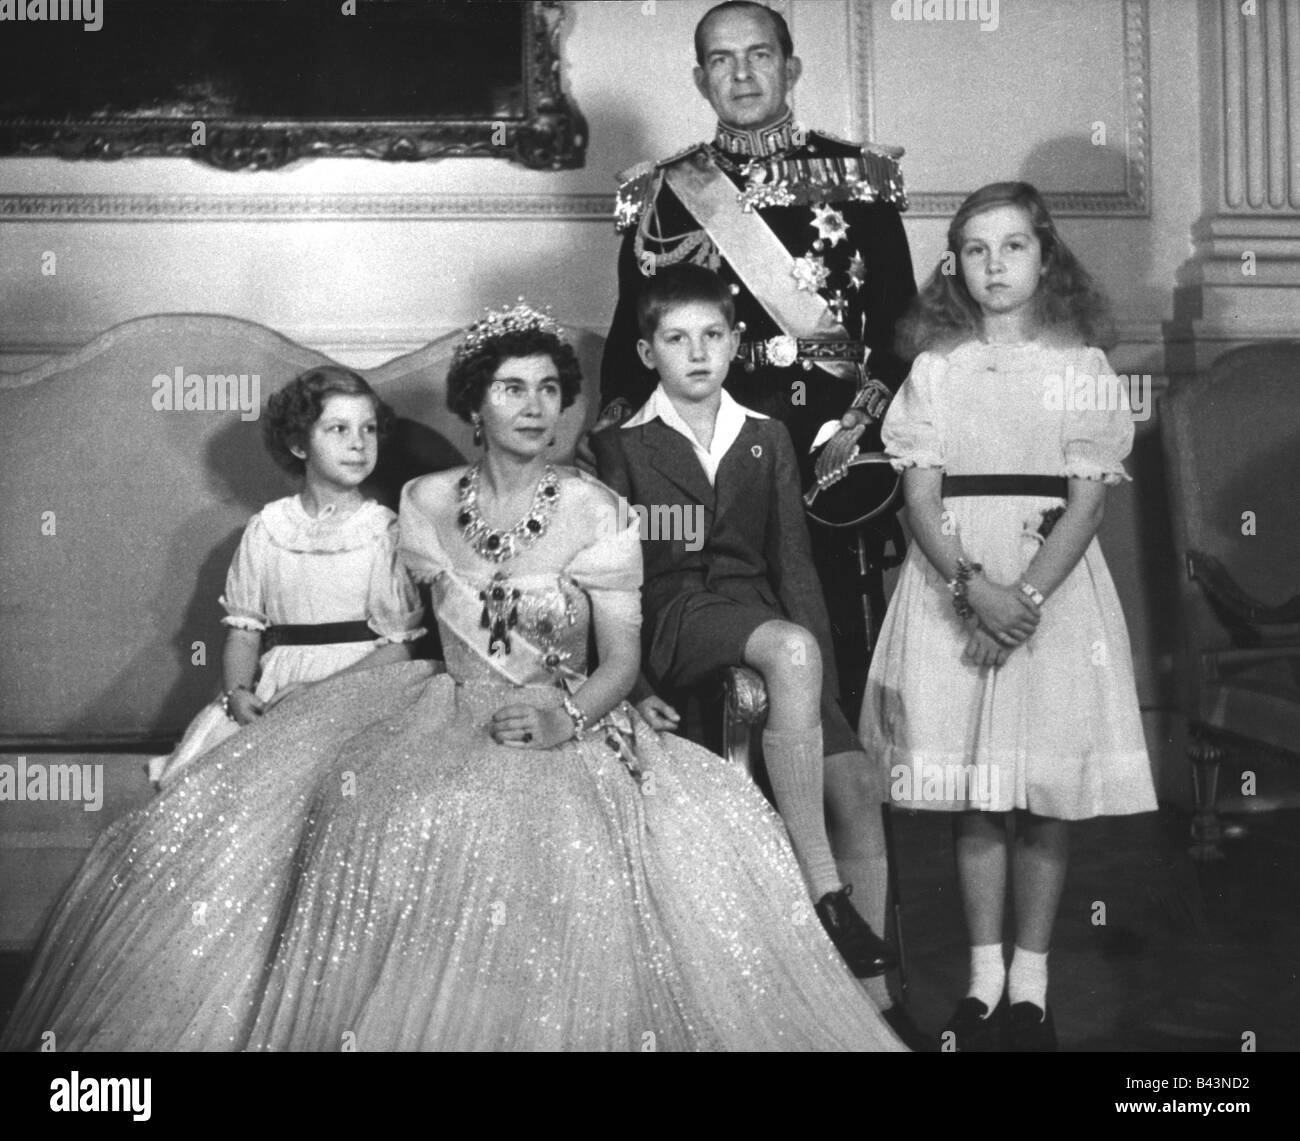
(255, 85)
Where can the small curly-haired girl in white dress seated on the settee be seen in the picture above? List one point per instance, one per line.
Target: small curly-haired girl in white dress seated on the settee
(315, 588)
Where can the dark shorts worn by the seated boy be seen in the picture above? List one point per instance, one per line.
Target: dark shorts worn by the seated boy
(713, 635)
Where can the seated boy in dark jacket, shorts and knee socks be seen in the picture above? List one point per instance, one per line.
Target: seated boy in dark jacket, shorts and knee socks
(747, 596)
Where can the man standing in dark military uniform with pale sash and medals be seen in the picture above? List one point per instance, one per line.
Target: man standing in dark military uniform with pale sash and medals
(805, 229)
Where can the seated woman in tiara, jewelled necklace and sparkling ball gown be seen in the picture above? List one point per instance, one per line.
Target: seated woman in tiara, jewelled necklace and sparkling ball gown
(505, 856)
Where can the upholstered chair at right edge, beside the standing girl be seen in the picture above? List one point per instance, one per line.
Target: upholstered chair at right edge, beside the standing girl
(1233, 452)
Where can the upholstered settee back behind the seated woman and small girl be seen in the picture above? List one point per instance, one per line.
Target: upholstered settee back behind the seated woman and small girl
(120, 513)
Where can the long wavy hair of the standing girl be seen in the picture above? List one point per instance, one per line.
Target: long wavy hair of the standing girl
(1067, 302)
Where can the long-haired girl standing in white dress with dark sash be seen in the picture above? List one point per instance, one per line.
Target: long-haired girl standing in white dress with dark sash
(1003, 688)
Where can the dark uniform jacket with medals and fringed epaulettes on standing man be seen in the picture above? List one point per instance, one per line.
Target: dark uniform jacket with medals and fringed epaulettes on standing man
(857, 192)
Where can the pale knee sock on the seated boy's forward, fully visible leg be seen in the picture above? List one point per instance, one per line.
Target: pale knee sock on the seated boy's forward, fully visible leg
(795, 770)
